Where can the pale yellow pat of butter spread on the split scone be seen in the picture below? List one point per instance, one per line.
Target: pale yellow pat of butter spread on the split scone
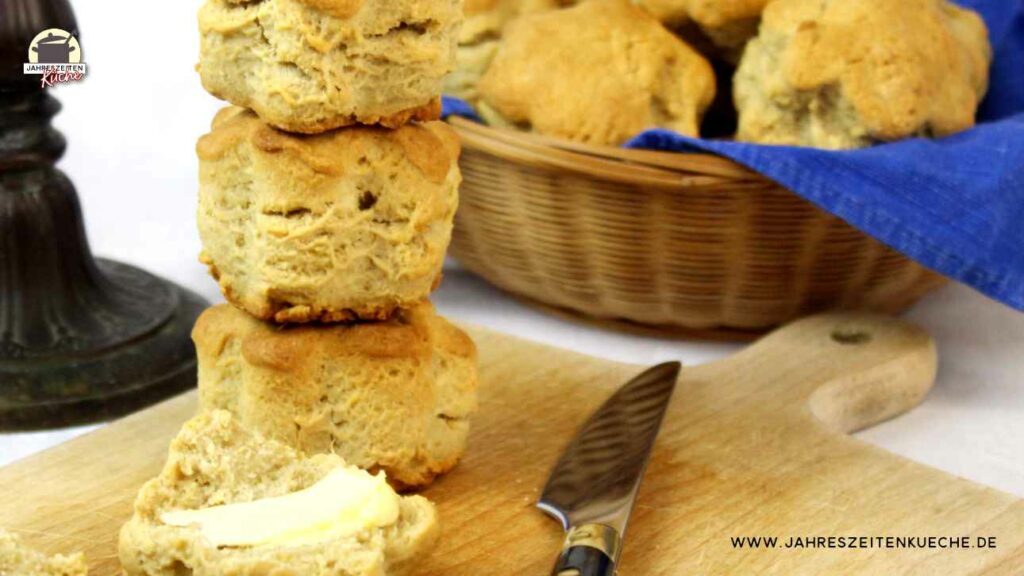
(345, 503)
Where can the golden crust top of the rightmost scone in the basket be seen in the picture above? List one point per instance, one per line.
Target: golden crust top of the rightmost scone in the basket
(905, 67)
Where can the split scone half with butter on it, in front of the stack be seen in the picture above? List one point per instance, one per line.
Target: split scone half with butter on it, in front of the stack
(231, 502)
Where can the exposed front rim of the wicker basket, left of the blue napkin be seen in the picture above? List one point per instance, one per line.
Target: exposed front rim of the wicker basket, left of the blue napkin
(608, 163)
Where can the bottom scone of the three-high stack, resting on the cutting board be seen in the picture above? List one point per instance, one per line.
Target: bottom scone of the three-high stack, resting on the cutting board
(395, 396)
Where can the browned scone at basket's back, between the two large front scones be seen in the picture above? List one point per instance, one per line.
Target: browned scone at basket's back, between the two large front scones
(729, 24)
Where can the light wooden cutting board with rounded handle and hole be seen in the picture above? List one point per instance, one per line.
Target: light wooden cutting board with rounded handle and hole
(753, 446)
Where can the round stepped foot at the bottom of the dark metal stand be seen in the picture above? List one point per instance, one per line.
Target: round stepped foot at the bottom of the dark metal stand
(90, 386)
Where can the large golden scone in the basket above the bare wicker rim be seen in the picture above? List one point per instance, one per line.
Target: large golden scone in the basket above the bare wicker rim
(601, 73)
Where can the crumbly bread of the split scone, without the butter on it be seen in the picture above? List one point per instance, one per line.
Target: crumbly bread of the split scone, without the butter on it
(216, 462)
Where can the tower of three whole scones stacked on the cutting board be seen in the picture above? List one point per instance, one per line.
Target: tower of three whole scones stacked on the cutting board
(327, 198)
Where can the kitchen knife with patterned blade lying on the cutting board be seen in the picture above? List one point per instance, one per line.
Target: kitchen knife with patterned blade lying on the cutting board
(594, 485)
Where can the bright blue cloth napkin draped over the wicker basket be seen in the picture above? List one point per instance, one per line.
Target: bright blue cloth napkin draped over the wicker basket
(955, 204)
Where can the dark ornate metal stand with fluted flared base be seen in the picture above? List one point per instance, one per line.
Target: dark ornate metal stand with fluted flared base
(81, 340)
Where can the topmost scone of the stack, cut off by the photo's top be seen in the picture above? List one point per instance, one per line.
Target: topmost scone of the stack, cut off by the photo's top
(312, 66)
